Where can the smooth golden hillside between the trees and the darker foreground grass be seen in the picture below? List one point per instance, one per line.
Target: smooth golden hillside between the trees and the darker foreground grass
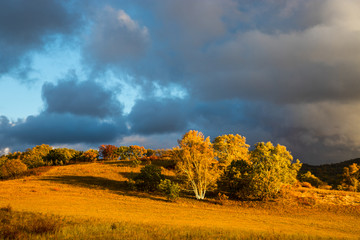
(96, 191)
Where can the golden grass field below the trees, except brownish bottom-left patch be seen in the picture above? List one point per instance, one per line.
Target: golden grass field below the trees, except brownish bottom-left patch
(94, 203)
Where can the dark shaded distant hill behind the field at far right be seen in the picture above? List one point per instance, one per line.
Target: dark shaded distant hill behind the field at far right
(329, 173)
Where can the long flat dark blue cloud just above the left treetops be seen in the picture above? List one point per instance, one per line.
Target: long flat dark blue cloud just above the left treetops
(55, 128)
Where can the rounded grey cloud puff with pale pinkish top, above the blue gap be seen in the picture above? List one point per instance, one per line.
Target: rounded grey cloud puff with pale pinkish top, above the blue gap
(115, 37)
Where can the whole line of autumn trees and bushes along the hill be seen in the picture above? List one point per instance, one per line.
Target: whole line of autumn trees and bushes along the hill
(225, 165)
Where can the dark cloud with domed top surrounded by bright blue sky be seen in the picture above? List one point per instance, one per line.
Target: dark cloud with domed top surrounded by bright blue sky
(80, 98)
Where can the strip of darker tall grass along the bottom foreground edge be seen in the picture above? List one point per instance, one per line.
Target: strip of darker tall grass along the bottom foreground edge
(23, 225)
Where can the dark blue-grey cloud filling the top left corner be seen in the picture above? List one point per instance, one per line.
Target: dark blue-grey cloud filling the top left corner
(27, 26)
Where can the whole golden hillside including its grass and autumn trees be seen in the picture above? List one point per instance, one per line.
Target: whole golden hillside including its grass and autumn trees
(119, 189)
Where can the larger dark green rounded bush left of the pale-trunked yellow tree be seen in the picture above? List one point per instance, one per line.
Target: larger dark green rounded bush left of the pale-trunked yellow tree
(149, 178)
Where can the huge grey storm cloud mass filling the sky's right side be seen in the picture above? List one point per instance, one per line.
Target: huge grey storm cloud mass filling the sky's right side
(290, 68)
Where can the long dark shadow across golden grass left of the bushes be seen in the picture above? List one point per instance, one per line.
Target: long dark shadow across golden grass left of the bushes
(119, 187)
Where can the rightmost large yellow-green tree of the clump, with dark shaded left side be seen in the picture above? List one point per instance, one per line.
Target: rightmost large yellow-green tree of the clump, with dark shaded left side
(268, 169)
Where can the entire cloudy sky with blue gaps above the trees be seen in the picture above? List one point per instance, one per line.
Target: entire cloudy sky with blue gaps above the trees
(81, 73)
